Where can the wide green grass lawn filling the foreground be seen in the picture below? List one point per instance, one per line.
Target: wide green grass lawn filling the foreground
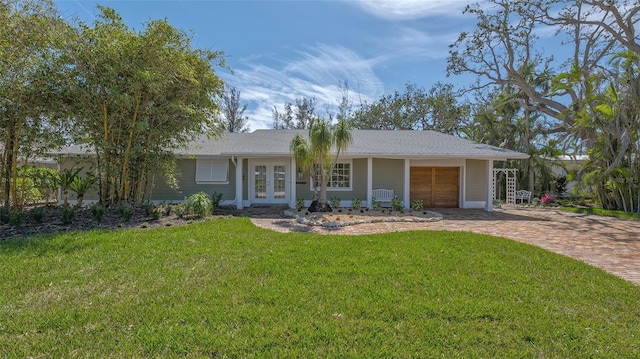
(224, 288)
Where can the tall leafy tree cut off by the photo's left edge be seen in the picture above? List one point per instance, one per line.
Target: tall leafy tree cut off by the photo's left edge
(31, 35)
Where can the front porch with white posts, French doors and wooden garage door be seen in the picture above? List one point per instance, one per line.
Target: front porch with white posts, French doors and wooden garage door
(457, 183)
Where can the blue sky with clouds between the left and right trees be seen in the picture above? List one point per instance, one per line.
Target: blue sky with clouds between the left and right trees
(283, 50)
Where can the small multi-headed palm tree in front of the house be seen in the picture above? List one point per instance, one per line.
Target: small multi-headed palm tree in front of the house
(315, 155)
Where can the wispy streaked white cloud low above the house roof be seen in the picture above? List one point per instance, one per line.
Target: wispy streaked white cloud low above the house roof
(314, 73)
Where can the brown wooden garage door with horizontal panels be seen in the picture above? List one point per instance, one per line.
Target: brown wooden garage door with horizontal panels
(436, 186)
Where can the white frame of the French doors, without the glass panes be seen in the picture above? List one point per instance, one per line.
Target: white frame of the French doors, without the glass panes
(270, 185)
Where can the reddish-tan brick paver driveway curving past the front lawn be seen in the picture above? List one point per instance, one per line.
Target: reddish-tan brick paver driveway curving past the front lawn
(609, 243)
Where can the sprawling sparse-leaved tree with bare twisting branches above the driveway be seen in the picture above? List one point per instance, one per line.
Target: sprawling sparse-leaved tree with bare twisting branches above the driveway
(505, 40)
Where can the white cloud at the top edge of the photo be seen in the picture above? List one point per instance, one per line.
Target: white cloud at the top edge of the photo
(412, 9)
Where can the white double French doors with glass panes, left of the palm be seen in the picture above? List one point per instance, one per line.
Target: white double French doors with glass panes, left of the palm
(269, 182)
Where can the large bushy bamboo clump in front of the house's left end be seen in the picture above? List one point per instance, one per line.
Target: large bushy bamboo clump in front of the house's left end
(137, 97)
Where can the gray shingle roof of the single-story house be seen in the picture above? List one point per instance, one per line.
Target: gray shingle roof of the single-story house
(377, 143)
